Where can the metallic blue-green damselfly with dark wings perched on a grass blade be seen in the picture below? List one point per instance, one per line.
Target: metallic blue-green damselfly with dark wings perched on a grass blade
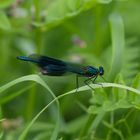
(55, 67)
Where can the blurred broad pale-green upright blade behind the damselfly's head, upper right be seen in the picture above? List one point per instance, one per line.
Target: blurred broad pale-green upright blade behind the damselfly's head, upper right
(118, 42)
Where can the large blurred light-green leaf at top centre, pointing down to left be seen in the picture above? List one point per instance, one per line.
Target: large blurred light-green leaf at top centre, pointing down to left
(60, 10)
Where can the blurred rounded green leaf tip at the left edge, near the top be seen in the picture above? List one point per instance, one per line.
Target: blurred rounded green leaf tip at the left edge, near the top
(4, 22)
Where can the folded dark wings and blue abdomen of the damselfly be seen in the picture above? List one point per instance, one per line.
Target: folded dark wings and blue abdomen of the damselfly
(53, 67)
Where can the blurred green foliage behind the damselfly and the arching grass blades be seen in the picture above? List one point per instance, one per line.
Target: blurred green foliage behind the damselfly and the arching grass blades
(90, 32)
